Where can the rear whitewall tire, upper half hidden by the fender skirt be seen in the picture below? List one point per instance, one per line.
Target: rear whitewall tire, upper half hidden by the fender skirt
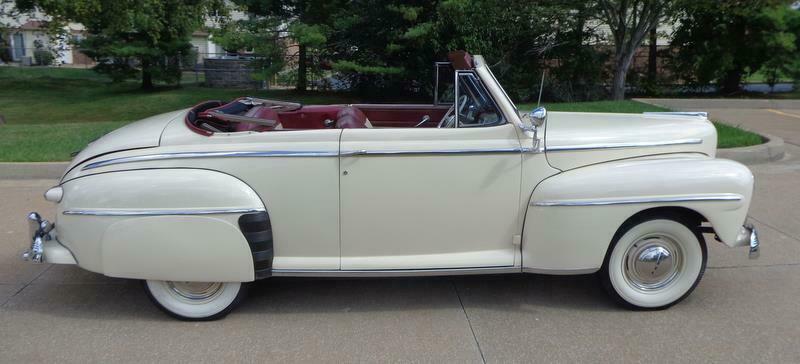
(195, 301)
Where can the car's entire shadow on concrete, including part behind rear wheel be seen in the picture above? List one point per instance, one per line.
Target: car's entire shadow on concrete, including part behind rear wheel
(109, 298)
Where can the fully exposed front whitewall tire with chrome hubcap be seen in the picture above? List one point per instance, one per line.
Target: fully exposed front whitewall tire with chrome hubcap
(654, 262)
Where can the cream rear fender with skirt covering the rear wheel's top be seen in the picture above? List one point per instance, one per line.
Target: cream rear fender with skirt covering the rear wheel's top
(163, 224)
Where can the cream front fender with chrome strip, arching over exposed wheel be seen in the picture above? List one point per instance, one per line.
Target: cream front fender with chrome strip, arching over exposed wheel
(573, 216)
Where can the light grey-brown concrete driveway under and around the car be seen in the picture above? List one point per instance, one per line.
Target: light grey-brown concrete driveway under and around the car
(743, 310)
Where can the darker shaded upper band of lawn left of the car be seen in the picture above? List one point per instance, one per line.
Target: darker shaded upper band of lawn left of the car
(59, 95)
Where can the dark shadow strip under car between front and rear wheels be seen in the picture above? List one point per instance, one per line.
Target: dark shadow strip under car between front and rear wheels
(512, 292)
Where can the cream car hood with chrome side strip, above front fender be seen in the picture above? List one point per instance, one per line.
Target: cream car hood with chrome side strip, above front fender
(577, 139)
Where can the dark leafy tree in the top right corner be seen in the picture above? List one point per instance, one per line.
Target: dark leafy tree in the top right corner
(724, 41)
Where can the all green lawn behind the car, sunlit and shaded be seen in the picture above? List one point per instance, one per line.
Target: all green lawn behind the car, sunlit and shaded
(85, 106)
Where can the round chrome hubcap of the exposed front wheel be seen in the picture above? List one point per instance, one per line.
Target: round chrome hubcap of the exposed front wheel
(652, 262)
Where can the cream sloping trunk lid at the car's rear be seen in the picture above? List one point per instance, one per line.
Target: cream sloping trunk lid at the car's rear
(145, 133)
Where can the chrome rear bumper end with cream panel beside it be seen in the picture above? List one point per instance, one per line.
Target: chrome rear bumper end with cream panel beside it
(44, 245)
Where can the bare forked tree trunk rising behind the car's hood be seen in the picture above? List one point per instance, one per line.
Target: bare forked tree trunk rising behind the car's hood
(628, 21)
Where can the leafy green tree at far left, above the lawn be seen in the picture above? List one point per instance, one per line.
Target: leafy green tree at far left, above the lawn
(131, 38)
